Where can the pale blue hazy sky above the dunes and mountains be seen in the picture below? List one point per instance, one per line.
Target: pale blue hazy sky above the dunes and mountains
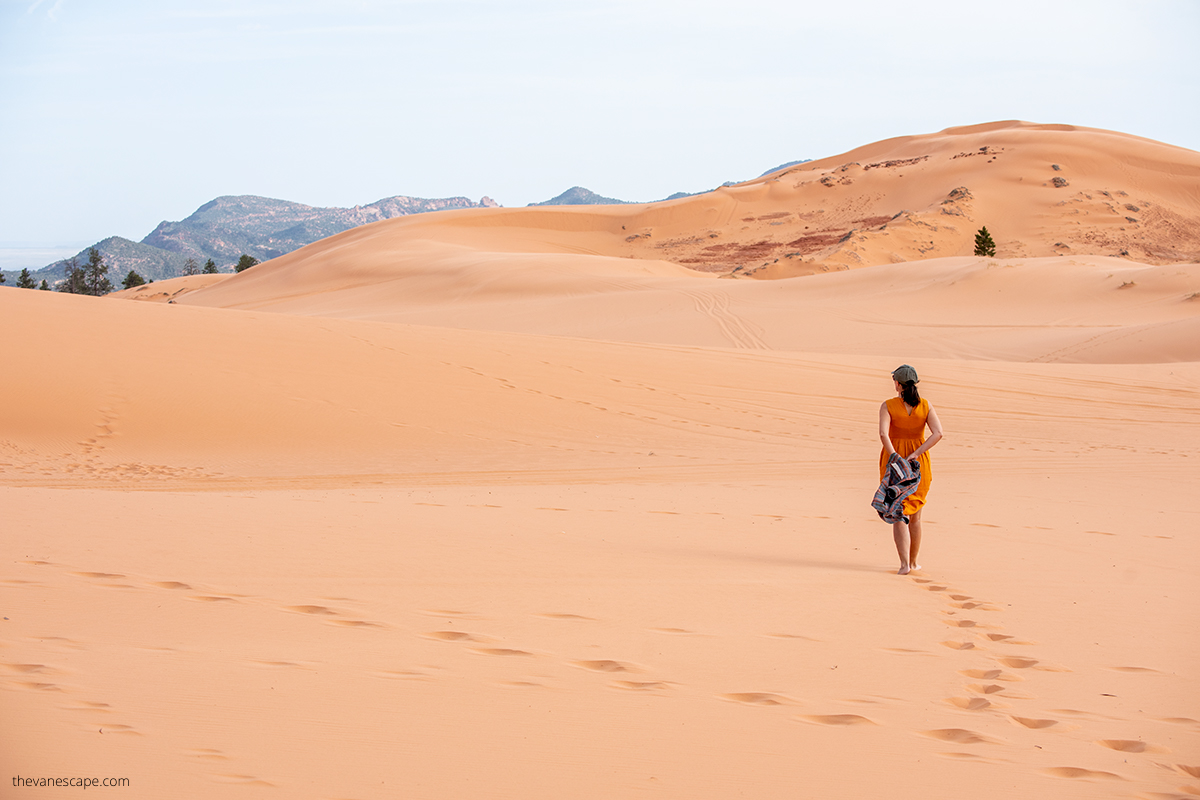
(117, 115)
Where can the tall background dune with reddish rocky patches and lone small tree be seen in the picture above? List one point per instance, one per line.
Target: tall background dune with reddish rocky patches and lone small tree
(1042, 191)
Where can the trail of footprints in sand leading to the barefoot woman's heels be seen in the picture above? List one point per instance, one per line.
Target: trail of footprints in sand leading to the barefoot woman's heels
(992, 690)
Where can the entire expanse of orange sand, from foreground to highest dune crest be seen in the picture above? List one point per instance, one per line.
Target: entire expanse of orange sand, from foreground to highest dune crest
(475, 504)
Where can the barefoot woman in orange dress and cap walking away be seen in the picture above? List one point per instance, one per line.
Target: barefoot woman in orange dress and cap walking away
(903, 422)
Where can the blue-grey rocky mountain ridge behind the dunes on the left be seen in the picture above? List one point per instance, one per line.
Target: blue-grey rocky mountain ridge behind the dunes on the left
(225, 228)
